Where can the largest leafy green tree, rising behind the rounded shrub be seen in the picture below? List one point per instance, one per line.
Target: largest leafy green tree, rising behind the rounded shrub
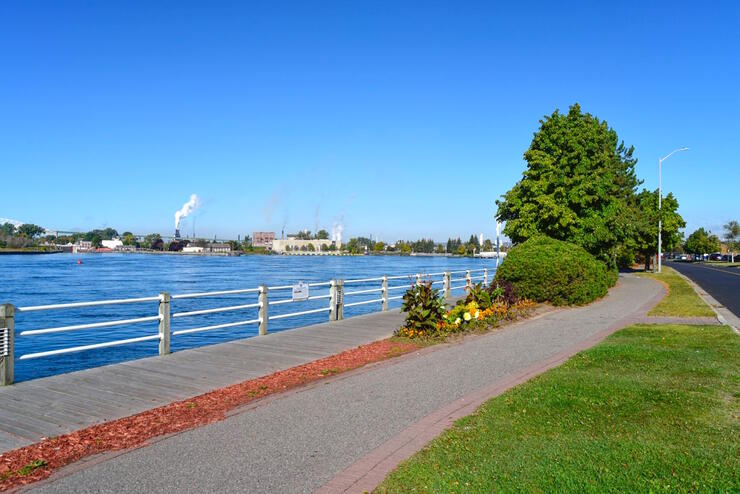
(577, 185)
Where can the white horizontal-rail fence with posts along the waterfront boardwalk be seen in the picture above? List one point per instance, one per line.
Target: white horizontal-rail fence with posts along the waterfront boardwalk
(164, 315)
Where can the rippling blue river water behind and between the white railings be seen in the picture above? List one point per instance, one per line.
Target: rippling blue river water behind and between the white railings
(58, 278)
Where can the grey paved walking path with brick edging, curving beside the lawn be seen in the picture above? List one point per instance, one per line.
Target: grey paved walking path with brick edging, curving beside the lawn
(311, 438)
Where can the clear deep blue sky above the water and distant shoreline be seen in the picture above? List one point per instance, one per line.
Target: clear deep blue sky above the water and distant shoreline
(400, 119)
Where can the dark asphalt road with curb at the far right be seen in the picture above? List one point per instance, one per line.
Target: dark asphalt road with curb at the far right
(720, 282)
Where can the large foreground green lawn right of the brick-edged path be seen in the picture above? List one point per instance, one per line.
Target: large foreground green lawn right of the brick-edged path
(651, 409)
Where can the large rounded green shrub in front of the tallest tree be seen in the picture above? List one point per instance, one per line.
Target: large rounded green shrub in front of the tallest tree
(547, 270)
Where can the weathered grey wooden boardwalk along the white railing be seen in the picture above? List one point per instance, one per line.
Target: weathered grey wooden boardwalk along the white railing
(56, 405)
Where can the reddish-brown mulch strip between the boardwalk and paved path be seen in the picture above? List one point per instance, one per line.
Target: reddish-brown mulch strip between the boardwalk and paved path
(133, 431)
